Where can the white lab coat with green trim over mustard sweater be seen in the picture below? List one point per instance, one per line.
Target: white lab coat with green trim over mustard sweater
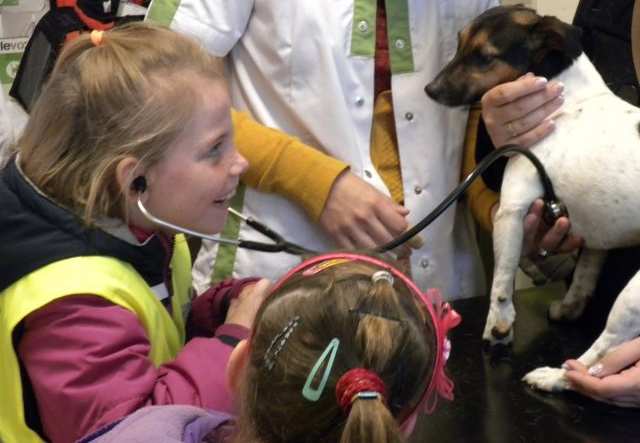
(290, 67)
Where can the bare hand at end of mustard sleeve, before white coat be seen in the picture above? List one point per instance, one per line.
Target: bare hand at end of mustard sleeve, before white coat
(357, 215)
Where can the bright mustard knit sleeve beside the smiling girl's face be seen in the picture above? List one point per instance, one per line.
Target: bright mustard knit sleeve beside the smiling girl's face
(282, 164)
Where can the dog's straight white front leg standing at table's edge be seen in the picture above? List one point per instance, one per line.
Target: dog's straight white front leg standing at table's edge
(507, 246)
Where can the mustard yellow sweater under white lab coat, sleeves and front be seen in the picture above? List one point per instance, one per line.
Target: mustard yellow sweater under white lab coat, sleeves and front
(279, 163)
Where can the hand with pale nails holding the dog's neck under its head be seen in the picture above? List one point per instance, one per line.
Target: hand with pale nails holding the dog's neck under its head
(519, 112)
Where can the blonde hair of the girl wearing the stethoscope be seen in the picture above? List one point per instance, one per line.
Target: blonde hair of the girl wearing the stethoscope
(131, 95)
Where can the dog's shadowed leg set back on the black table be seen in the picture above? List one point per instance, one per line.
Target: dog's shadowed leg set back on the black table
(584, 282)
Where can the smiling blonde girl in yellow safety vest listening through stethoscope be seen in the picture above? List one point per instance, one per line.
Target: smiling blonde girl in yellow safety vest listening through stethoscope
(95, 301)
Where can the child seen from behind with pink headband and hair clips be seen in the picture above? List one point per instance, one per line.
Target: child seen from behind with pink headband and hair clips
(344, 349)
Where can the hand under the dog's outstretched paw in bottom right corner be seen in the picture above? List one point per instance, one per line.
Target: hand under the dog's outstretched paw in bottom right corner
(615, 379)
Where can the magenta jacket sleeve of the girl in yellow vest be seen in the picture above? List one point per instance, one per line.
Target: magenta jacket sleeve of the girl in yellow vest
(91, 356)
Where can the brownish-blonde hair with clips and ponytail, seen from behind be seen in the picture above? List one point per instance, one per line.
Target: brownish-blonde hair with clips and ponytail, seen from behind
(381, 327)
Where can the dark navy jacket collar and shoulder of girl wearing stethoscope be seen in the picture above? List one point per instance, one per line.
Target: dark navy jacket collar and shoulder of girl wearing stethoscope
(34, 232)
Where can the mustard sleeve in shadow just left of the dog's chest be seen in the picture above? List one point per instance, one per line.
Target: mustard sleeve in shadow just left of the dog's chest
(480, 197)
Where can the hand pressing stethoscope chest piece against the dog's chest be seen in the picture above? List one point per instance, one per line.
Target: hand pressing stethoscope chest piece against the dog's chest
(539, 237)
